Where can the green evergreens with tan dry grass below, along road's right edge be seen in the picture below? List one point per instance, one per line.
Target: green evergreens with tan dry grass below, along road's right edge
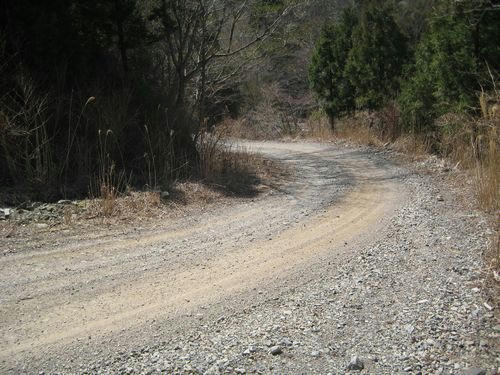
(435, 92)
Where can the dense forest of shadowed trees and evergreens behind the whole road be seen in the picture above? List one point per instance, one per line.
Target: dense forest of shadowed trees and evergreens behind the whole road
(98, 93)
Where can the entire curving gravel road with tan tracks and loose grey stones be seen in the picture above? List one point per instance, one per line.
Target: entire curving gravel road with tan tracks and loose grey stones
(356, 264)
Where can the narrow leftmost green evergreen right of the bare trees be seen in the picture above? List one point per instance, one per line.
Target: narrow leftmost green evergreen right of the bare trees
(327, 74)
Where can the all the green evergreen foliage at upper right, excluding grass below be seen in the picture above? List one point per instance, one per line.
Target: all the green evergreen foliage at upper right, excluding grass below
(358, 61)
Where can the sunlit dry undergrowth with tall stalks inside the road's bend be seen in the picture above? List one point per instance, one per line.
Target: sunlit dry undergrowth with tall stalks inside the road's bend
(222, 169)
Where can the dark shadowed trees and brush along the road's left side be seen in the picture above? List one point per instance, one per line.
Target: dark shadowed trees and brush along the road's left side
(99, 99)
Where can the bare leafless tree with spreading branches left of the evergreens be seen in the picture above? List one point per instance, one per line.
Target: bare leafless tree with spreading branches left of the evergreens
(200, 34)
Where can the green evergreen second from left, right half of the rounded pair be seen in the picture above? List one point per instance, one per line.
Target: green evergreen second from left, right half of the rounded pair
(375, 61)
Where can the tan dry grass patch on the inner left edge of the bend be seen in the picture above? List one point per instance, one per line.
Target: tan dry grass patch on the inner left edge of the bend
(223, 170)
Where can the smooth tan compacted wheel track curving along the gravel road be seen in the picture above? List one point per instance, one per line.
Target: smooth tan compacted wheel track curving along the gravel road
(218, 268)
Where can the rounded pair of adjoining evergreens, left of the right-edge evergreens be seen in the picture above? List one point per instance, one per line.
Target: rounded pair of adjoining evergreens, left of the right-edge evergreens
(358, 60)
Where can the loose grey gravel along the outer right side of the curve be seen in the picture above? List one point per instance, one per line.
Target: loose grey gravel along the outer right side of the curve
(407, 300)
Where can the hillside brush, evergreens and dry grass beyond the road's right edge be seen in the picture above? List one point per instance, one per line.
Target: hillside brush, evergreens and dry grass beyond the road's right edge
(420, 77)
